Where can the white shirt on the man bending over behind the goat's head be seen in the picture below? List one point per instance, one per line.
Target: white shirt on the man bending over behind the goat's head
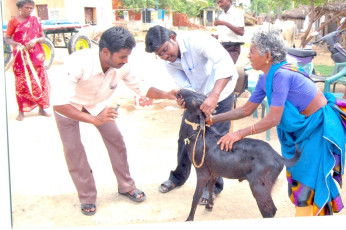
(203, 62)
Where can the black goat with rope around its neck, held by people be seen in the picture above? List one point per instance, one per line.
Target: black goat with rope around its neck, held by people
(250, 159)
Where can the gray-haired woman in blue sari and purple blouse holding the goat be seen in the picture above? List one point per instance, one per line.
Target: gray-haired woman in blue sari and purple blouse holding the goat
(304, 116)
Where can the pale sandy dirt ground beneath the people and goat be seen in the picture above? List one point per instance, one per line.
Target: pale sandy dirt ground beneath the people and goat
(43, 195)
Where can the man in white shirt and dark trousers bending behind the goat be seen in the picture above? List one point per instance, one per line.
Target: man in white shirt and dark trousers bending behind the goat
(198, 62)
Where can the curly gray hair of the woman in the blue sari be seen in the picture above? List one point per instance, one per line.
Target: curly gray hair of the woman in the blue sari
(270, 41)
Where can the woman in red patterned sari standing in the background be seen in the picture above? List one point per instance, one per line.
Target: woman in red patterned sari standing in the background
(24, 32)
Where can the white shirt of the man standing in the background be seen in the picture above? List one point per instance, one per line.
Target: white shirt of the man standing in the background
(235, 17)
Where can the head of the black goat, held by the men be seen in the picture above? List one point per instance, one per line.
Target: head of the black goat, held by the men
(193, 101)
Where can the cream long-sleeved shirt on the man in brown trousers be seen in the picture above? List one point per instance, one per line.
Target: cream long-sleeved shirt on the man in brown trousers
(82, 82)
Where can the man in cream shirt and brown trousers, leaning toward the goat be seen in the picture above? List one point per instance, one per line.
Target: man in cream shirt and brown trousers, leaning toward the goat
(90, 78)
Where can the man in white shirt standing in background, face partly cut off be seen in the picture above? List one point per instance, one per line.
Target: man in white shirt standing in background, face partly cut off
(230, 28)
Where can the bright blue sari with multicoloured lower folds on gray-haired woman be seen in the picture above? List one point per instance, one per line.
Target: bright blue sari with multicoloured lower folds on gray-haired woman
(321, 136)
